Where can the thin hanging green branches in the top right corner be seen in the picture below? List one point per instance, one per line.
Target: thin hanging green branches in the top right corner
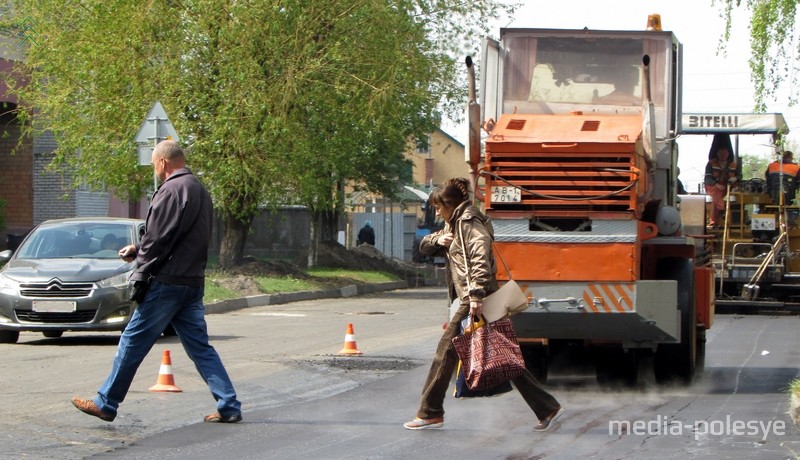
(773, 42)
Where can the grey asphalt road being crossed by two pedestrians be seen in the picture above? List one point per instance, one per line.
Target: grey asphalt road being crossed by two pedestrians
(301, 400)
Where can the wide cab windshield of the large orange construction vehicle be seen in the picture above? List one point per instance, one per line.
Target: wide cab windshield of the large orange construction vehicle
(560, 74)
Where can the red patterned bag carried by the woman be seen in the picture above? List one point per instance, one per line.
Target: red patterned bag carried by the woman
(490, 355)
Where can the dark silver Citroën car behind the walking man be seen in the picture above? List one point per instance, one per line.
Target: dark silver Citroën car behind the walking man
(67, 276)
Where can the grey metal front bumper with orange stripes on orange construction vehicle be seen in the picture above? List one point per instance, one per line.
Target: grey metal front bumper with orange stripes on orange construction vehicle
(642, 312)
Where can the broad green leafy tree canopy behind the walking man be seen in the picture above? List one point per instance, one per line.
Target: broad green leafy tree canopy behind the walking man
(278, 101)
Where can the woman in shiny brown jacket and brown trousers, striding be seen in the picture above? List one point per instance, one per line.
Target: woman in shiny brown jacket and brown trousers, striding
(463, 220)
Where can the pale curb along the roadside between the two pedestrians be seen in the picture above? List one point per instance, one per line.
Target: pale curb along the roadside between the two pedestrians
(351, 290)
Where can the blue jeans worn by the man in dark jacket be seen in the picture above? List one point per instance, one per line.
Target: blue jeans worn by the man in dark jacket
(183, 307)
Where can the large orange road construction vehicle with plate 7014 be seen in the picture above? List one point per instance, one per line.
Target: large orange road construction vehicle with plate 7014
(578, 174)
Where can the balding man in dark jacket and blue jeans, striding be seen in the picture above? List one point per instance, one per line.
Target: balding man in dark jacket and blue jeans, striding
(168, 287)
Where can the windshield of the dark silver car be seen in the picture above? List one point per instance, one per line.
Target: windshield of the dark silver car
(95, 240)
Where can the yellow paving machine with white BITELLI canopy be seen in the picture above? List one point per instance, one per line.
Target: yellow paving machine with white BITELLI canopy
(755, 252)
